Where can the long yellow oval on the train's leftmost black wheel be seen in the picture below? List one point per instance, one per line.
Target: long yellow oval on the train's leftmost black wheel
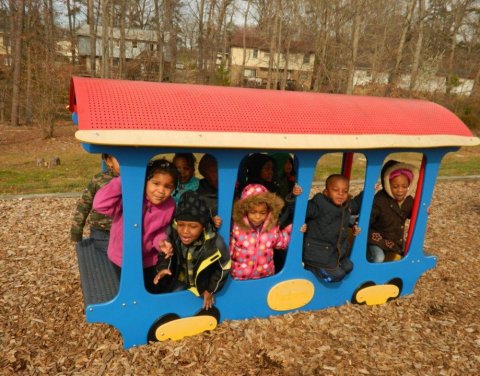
(185, 327)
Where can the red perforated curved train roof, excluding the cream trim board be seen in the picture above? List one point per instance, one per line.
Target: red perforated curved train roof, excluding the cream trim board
(136, 105)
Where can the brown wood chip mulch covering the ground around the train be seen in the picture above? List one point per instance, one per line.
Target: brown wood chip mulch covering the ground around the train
(435, 331)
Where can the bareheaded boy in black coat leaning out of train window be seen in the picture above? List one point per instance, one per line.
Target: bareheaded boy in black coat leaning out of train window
(325, 251)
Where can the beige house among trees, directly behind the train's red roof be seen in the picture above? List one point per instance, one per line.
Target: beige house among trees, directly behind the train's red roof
(295, 67)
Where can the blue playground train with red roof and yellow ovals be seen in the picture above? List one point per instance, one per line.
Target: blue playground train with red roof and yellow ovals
(136, 121)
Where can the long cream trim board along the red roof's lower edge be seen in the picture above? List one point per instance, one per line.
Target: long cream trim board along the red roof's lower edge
(274, 141)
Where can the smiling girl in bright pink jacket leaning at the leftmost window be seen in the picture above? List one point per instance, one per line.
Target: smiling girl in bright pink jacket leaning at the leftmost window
(158, 209)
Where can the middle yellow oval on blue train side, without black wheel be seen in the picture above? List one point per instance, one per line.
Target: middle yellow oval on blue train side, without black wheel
(291, 294)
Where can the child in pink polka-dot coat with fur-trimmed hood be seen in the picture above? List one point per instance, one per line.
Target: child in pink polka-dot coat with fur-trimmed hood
(255, 233)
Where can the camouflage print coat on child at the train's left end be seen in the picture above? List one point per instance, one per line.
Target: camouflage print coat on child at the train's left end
(84, 208)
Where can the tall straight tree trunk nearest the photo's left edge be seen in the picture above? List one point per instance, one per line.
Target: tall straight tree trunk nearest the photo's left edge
(17, 59)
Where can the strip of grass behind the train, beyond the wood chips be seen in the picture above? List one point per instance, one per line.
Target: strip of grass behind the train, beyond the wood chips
(19, 173)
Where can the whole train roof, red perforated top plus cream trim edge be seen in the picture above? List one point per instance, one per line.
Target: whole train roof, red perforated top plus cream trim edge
(118, 112)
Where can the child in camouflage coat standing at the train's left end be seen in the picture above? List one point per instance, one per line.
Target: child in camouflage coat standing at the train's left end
(99, 223)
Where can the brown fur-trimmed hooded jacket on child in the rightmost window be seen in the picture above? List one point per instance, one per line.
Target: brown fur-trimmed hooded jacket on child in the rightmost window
(388, 217)
